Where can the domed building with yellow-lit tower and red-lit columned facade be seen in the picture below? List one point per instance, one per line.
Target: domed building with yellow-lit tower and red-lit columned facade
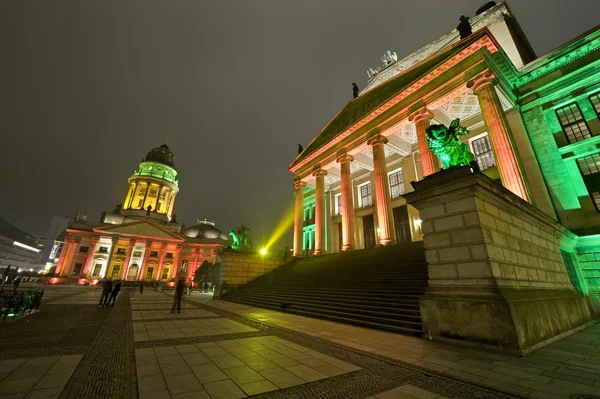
(141, 239)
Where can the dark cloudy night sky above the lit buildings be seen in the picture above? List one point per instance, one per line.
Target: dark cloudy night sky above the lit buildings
(87, 88)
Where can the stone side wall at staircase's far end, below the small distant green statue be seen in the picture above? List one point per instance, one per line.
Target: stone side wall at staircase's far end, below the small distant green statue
(241, 267)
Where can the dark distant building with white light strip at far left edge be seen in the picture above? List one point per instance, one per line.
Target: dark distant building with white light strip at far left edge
(18, 249)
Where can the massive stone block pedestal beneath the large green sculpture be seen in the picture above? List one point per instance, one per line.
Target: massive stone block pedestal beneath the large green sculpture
(496, 275)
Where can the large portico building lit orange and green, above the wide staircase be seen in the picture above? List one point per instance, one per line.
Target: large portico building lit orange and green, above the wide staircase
(533, 125)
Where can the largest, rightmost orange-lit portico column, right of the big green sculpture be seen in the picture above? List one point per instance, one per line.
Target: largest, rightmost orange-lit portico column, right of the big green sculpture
(500, 135)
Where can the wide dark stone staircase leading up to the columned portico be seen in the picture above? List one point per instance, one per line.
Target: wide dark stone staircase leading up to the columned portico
(376, 288)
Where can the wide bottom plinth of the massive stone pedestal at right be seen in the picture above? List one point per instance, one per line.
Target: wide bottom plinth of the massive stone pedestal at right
(516, 321)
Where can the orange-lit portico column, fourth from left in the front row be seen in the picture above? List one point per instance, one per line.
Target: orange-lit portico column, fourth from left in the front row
(382, 190)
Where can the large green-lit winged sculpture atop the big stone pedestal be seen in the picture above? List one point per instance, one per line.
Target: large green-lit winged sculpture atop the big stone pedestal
(446, 145)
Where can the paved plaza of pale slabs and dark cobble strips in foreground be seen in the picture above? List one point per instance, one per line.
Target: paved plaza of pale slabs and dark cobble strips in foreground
(217, 349)
